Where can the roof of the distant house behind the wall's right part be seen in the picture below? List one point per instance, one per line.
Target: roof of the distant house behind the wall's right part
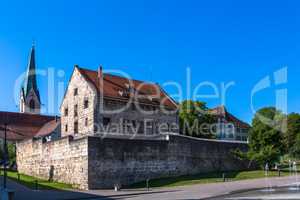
(221, 111)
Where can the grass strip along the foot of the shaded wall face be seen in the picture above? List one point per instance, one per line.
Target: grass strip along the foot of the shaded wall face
(207, 178)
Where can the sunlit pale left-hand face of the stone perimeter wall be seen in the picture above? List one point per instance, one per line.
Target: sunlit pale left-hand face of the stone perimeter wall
(64, 160)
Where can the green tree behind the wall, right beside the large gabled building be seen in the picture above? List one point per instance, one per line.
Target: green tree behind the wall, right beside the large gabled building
(195, 120)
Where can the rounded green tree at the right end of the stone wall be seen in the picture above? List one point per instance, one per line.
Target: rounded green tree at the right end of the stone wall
(266, 135)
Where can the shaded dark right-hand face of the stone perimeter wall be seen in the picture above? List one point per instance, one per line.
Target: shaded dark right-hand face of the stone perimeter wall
(119, 161)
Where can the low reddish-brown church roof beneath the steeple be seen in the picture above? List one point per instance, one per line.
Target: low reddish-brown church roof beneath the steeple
(22, 125)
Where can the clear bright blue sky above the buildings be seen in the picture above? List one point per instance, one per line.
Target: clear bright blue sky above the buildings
(221, 41)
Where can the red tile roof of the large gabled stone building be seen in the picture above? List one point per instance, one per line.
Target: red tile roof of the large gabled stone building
(116, 87)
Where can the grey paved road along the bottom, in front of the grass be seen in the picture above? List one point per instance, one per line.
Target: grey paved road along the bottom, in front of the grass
(193, 192)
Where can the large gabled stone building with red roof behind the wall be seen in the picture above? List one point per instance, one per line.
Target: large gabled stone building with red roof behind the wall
(99, 103)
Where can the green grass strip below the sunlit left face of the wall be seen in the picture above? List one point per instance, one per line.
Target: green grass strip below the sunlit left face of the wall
(30, 182)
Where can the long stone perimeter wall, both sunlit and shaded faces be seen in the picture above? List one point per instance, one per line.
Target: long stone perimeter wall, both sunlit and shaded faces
(94, 162)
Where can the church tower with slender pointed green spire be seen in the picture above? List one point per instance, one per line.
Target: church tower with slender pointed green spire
(30, 97)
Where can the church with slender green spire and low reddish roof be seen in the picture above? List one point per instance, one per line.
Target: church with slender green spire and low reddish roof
(29, 123)
